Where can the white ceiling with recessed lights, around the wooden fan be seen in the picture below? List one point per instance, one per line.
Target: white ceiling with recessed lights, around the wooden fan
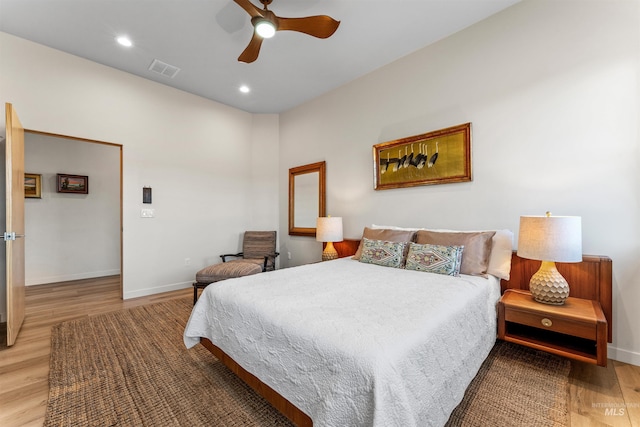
(205, 37)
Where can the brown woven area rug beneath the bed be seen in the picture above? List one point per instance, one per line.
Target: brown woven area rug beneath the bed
(130, 368)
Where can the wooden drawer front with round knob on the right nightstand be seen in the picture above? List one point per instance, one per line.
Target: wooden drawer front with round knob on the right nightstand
(552, 323)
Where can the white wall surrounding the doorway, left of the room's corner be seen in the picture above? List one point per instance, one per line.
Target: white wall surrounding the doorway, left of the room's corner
(188, 149)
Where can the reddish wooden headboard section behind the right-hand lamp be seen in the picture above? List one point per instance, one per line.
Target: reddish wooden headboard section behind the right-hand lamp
(590, 279)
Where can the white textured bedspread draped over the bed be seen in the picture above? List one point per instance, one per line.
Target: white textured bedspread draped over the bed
(355, 344)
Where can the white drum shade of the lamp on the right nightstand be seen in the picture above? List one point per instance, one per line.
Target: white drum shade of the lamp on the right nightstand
(550, 238)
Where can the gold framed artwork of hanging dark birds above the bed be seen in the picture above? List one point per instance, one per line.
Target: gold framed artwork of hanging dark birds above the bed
(438, 157)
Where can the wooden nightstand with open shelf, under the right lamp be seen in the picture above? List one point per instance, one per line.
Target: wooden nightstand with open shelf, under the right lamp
(576, 330)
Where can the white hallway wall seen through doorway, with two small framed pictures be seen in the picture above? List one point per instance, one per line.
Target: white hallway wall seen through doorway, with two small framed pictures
(72, 236)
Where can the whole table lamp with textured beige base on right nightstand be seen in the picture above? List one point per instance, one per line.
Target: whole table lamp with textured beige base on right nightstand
(550, 239)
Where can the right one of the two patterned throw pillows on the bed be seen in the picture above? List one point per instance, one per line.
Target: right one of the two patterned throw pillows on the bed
(435, 259)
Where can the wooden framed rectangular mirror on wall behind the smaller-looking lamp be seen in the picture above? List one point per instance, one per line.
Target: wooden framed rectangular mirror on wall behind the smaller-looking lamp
(306, 198)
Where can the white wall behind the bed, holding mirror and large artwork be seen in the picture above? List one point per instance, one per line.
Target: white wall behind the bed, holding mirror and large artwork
(551, 89)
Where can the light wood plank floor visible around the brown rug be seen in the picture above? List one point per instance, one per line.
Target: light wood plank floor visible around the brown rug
(597, 396)
